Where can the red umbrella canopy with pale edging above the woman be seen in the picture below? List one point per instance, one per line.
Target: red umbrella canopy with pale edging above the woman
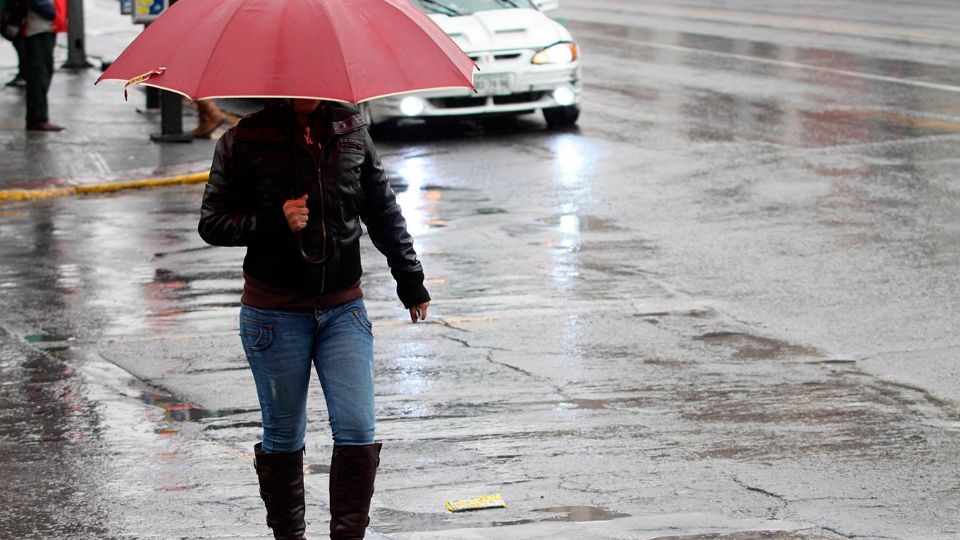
(342, 50)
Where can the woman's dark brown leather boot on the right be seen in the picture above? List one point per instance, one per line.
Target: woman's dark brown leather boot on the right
(352, 472)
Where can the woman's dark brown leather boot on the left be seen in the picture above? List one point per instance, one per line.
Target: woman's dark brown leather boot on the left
(281, 488)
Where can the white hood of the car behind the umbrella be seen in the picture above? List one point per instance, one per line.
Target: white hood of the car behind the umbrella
(502, 29)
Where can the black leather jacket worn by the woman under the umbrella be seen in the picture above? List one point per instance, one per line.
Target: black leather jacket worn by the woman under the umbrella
(259, 164)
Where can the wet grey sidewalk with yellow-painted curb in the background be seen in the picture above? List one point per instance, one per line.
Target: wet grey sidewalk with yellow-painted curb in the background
(107, 140)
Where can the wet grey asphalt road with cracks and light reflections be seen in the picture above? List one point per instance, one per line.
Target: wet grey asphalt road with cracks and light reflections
(726, 304)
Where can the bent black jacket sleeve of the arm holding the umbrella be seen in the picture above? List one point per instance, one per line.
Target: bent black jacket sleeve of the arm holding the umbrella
(228, 216)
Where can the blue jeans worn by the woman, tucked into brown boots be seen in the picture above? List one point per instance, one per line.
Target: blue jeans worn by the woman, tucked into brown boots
(281, 346)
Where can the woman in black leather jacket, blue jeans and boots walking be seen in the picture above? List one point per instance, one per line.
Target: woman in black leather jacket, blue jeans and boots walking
(291, 183)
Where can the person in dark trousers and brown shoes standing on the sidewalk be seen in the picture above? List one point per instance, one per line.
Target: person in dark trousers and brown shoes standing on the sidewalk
(44, 19)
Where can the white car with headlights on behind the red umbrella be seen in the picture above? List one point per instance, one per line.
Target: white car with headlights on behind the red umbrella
(527, 61)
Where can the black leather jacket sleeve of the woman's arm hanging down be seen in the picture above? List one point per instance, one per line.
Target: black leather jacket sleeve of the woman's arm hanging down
(388, 229)
